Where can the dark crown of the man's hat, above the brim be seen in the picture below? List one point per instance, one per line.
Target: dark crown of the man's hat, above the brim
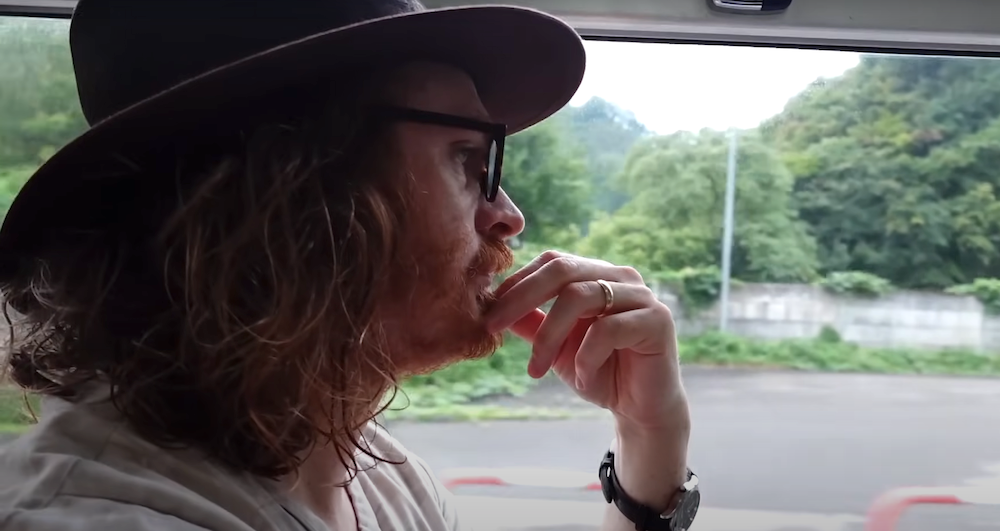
(125, 51)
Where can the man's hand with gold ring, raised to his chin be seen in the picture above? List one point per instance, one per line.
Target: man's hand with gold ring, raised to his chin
(624, 360)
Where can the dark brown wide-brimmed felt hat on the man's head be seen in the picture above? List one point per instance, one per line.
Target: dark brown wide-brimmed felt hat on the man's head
(148, 70)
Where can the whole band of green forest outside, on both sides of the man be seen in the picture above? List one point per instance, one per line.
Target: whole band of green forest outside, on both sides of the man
(889, 171)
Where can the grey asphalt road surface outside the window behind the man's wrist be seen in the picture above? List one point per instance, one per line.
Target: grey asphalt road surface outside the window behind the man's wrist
(775, 451)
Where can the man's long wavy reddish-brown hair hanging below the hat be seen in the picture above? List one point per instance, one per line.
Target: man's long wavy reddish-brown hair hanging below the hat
(232, 307)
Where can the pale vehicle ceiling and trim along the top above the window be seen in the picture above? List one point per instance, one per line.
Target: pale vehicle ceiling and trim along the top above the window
(921, 26)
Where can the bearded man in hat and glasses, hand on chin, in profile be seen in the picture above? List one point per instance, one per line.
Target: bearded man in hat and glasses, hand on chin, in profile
(281, 210)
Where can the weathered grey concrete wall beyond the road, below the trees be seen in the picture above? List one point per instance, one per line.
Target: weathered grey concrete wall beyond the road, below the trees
(901, 319)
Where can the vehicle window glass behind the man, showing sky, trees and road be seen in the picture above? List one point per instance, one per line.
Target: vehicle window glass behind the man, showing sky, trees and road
(865, 251)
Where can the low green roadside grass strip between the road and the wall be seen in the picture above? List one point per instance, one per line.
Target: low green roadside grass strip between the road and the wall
(461, 392)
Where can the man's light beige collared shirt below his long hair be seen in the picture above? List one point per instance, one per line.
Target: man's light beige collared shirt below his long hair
(82, 469)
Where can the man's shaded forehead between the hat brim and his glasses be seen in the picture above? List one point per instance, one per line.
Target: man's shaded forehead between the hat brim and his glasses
(434, 87)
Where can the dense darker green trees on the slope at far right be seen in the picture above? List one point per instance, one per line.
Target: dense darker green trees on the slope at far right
(897, 164)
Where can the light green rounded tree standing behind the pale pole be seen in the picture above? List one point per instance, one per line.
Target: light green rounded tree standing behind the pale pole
(675, 219)
